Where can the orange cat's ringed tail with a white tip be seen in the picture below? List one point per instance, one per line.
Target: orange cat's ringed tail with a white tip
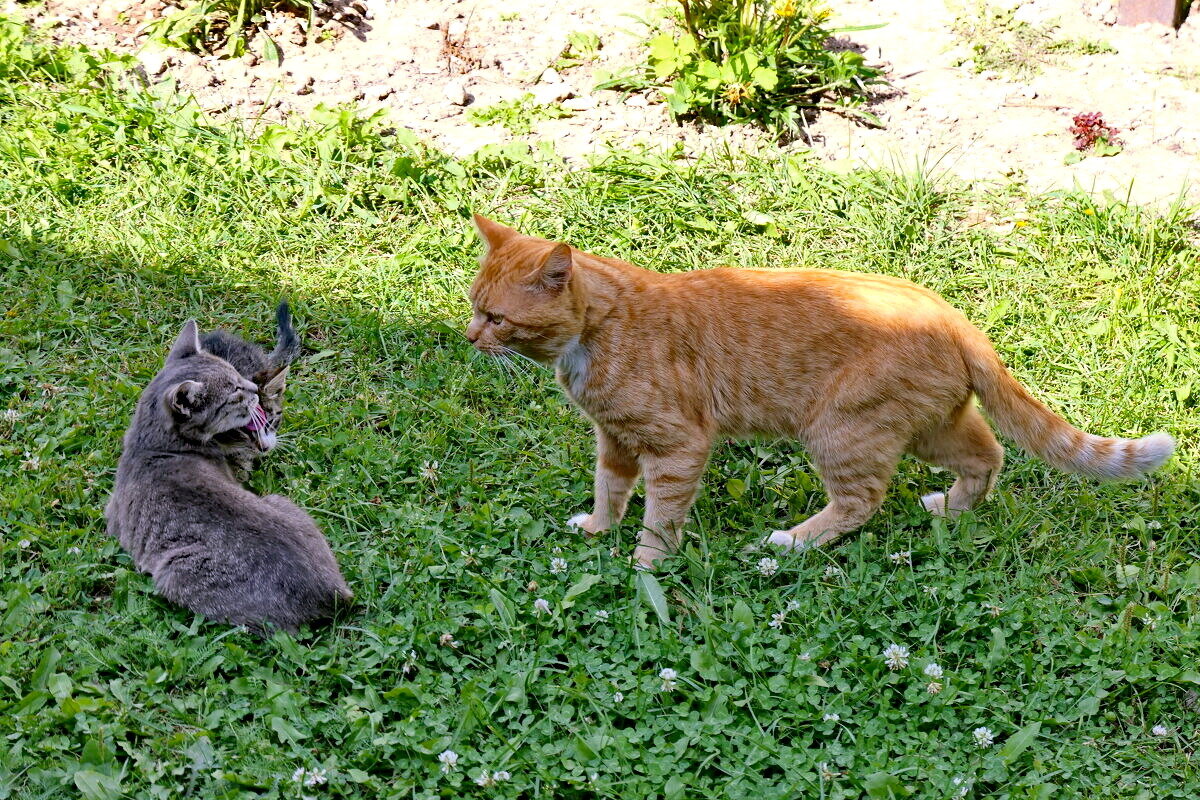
(1039, 430)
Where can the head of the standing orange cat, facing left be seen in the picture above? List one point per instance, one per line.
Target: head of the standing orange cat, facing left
(526, 297)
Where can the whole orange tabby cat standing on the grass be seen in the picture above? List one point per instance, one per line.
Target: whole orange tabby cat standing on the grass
(862, 369)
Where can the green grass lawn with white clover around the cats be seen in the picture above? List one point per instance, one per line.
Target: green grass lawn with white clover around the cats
(443, 480)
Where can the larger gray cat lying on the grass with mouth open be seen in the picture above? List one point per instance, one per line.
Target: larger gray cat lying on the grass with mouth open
(178, 510)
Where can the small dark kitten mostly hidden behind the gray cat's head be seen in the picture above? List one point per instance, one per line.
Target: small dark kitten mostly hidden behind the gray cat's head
(247, 447)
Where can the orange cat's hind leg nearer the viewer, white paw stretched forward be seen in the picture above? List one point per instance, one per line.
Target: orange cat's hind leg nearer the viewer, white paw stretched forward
(856, 472)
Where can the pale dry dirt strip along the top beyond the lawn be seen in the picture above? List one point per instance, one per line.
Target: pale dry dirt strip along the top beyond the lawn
(430, 63)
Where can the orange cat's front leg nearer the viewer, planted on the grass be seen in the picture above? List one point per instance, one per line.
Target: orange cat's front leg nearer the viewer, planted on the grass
(671, 486)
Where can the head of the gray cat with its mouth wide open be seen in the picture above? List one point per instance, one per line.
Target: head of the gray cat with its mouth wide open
(205, 398)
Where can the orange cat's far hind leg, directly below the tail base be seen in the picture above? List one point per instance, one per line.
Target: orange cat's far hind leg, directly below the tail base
(968, 447)
